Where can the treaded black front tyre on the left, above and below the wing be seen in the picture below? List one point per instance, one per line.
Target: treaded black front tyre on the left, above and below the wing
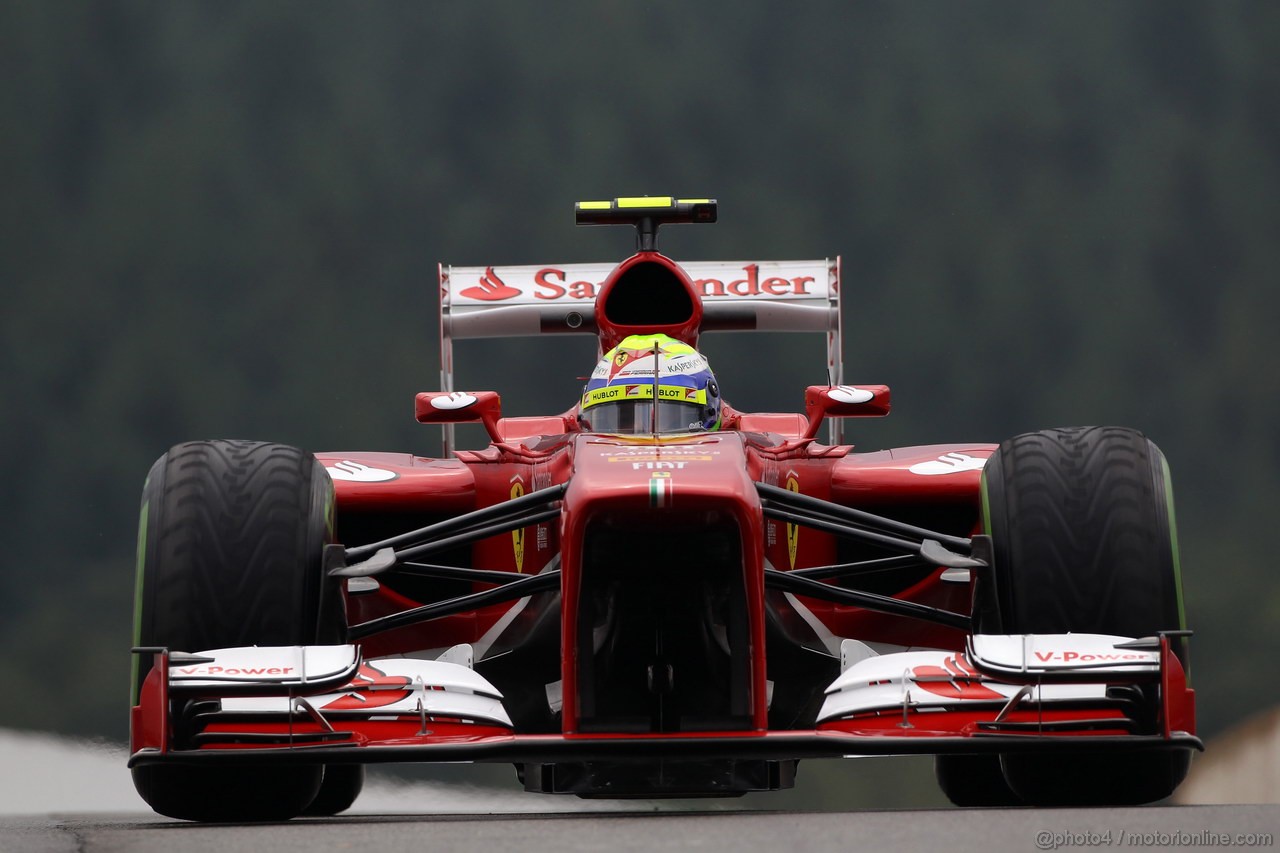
(231, 545)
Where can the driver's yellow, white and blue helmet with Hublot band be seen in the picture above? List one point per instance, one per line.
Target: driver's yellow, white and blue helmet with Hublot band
(620, 395)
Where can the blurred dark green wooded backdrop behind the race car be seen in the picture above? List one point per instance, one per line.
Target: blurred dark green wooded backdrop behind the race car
(222, 220)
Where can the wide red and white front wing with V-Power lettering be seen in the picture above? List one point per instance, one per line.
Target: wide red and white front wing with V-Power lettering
(324, 705)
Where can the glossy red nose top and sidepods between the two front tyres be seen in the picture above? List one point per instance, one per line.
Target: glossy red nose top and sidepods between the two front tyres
(711, 475)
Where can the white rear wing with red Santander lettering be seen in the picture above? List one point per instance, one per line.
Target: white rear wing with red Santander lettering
(749, 297)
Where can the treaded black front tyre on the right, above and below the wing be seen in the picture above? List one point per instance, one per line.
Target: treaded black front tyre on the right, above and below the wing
(1085, 541)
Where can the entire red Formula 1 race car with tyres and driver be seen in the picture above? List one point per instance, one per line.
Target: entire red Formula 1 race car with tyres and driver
(653, 594)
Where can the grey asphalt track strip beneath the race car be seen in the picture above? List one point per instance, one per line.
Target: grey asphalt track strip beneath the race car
(953, 831)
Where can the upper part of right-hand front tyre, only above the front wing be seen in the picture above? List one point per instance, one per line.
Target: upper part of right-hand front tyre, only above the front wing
(1084, 532)
